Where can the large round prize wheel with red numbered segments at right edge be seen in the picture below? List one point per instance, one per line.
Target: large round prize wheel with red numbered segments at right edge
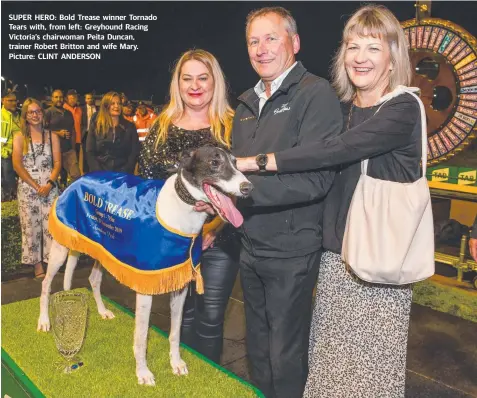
(444, 60)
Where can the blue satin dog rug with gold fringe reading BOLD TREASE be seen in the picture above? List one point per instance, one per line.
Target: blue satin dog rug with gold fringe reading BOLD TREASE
(113, 218)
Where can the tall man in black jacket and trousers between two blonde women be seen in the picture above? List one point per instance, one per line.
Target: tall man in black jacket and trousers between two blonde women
(282, 232)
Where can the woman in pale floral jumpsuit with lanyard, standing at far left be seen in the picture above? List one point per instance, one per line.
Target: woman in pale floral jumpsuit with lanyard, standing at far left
(37, 161)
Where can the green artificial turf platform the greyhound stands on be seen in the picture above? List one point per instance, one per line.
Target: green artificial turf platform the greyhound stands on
(109, 365)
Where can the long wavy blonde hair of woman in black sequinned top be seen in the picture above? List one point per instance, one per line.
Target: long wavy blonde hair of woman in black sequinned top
(220, 112)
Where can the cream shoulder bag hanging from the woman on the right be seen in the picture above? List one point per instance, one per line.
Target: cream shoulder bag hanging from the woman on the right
(389, 234)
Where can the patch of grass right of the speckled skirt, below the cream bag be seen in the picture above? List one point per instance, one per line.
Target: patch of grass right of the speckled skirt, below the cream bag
(444, 298)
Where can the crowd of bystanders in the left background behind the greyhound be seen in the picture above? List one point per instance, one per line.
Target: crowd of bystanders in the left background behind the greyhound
(49, 144)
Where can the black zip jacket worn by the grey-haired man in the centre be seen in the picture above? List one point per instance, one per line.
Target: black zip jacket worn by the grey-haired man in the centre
(283, 217)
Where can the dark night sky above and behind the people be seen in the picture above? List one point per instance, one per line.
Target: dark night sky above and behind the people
(215, 26)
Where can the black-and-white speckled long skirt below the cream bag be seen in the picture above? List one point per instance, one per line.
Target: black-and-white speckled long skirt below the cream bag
(358, 339)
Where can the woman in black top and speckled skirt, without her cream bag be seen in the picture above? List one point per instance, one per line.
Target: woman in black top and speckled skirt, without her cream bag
(358, 339)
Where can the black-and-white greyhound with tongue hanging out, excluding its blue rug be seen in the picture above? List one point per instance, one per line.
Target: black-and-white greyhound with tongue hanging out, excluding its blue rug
(208, 174)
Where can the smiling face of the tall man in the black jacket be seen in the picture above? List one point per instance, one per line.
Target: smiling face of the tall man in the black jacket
(270, 47)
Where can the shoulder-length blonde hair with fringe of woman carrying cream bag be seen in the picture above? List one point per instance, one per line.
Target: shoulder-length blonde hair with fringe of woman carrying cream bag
(375, 21)
